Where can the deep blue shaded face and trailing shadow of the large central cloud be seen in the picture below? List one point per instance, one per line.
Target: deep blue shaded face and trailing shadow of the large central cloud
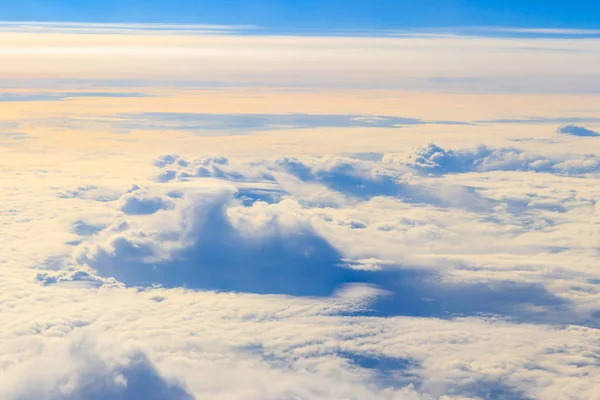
(301, 263)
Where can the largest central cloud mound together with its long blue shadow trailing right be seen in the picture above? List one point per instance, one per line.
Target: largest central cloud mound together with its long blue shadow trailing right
(210, 240)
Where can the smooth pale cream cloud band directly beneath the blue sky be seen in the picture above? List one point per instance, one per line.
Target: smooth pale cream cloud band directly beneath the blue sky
(169, 55)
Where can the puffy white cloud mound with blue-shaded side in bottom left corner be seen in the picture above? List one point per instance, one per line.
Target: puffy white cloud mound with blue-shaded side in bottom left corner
(88, 372)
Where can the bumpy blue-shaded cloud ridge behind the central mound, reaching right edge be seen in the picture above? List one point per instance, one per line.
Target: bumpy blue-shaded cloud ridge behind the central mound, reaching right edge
(339, 181)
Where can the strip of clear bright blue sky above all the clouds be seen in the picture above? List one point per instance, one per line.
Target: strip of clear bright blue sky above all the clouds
(292, 15)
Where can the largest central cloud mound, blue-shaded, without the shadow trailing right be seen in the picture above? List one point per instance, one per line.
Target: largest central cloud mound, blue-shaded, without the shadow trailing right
(260, 250)
